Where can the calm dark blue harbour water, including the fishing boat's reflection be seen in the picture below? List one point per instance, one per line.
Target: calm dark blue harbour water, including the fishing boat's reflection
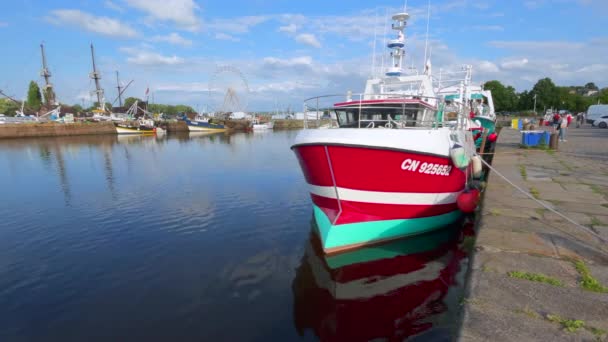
(198, 237)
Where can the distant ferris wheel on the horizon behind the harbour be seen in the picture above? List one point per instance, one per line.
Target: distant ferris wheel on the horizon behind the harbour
(228, 90)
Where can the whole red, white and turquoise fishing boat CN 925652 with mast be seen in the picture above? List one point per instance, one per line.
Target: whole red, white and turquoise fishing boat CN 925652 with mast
(394, 167)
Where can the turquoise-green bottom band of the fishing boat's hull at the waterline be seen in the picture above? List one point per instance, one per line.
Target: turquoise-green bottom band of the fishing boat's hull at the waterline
(368, 232)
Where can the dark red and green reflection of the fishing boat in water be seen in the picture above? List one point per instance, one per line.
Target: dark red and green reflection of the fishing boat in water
(387, 292)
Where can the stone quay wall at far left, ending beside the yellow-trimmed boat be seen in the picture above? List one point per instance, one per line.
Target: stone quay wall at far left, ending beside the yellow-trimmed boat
(51, 129)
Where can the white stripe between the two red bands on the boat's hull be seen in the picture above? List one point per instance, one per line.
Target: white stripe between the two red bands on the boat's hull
(411, 198)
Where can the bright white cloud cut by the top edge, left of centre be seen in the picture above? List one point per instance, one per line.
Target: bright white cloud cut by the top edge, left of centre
(181, 12)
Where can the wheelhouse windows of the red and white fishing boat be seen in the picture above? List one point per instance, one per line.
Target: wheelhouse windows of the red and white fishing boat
(376, 116)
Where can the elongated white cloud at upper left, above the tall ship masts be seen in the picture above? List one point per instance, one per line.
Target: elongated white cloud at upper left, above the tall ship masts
(86, 21)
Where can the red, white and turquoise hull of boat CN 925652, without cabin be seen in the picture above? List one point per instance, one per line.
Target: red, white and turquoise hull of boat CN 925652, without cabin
(364, 194)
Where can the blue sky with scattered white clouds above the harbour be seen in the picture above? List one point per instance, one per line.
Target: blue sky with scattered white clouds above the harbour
(281, 52)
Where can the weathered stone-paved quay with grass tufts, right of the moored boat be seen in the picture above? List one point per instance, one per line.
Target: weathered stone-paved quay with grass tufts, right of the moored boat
(535, 276)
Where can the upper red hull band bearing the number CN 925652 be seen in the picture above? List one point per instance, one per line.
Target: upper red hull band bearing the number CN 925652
(369, 169)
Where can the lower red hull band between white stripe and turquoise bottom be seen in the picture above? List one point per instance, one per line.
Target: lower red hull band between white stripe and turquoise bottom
(354, 212)
